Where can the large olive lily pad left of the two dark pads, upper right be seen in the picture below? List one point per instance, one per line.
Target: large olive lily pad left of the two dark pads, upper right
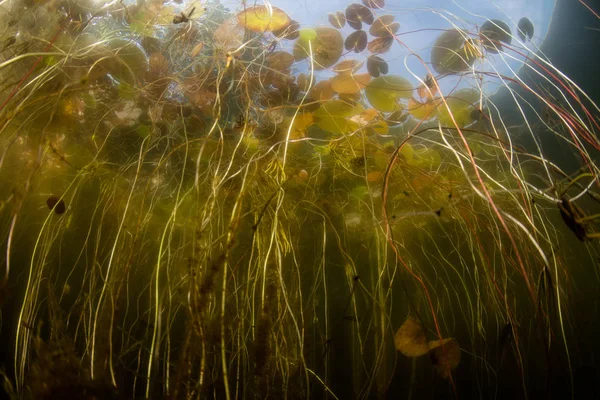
(450, 52)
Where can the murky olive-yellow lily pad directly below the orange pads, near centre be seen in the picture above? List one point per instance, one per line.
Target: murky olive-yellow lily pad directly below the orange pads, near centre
(335, 116)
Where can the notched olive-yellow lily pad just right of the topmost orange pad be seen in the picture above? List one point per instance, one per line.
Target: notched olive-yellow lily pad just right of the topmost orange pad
(327, 46)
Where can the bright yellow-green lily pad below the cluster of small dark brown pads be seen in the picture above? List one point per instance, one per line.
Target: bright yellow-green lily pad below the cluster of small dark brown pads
(384, 92)
